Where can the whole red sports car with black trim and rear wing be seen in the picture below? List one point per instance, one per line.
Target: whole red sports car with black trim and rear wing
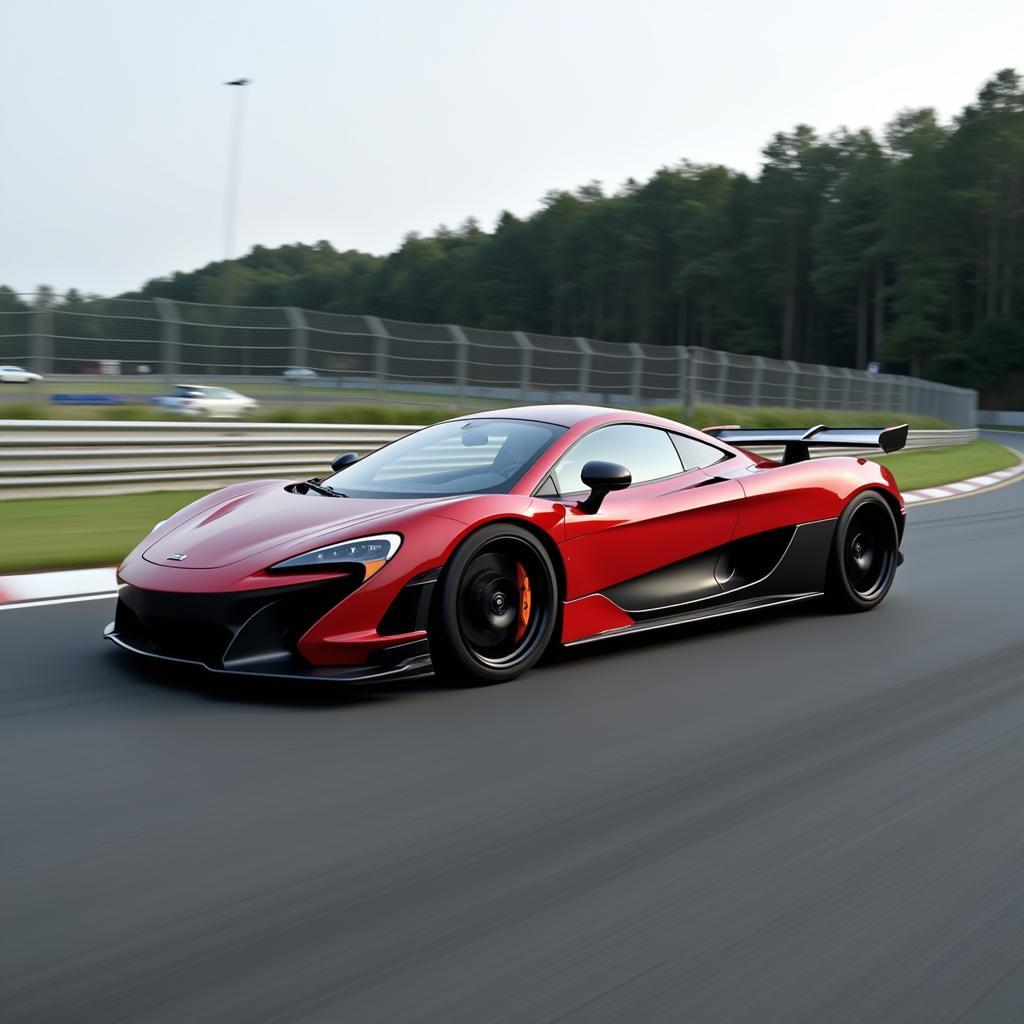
(471, 547)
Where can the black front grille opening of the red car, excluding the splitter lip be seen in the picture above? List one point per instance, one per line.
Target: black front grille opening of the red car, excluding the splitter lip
(210, 628)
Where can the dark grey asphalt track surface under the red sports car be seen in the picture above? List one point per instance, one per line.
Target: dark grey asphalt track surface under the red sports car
(797, 818)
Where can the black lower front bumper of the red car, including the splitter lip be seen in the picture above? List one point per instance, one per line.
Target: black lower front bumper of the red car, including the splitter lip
(252, 633)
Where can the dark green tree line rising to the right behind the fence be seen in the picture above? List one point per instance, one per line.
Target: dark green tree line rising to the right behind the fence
(907, 249)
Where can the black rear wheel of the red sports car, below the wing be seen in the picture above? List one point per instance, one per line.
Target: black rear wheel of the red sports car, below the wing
(865, 554)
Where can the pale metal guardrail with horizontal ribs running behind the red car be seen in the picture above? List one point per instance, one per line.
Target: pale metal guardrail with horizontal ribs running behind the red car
(39, 458)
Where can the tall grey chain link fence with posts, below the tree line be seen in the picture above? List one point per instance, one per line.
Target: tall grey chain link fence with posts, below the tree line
(354, 357)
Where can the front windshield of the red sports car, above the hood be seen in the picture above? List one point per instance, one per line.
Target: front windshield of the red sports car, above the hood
(464, 457)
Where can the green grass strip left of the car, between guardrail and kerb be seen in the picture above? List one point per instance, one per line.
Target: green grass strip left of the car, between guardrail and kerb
(76, 533)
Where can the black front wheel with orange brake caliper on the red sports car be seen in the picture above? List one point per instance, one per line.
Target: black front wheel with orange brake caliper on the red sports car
(496, 608)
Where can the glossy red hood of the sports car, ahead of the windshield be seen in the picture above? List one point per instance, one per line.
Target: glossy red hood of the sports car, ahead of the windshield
(244, 526)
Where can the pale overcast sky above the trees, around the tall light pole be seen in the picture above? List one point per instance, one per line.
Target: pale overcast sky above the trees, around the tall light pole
(367, 120)
